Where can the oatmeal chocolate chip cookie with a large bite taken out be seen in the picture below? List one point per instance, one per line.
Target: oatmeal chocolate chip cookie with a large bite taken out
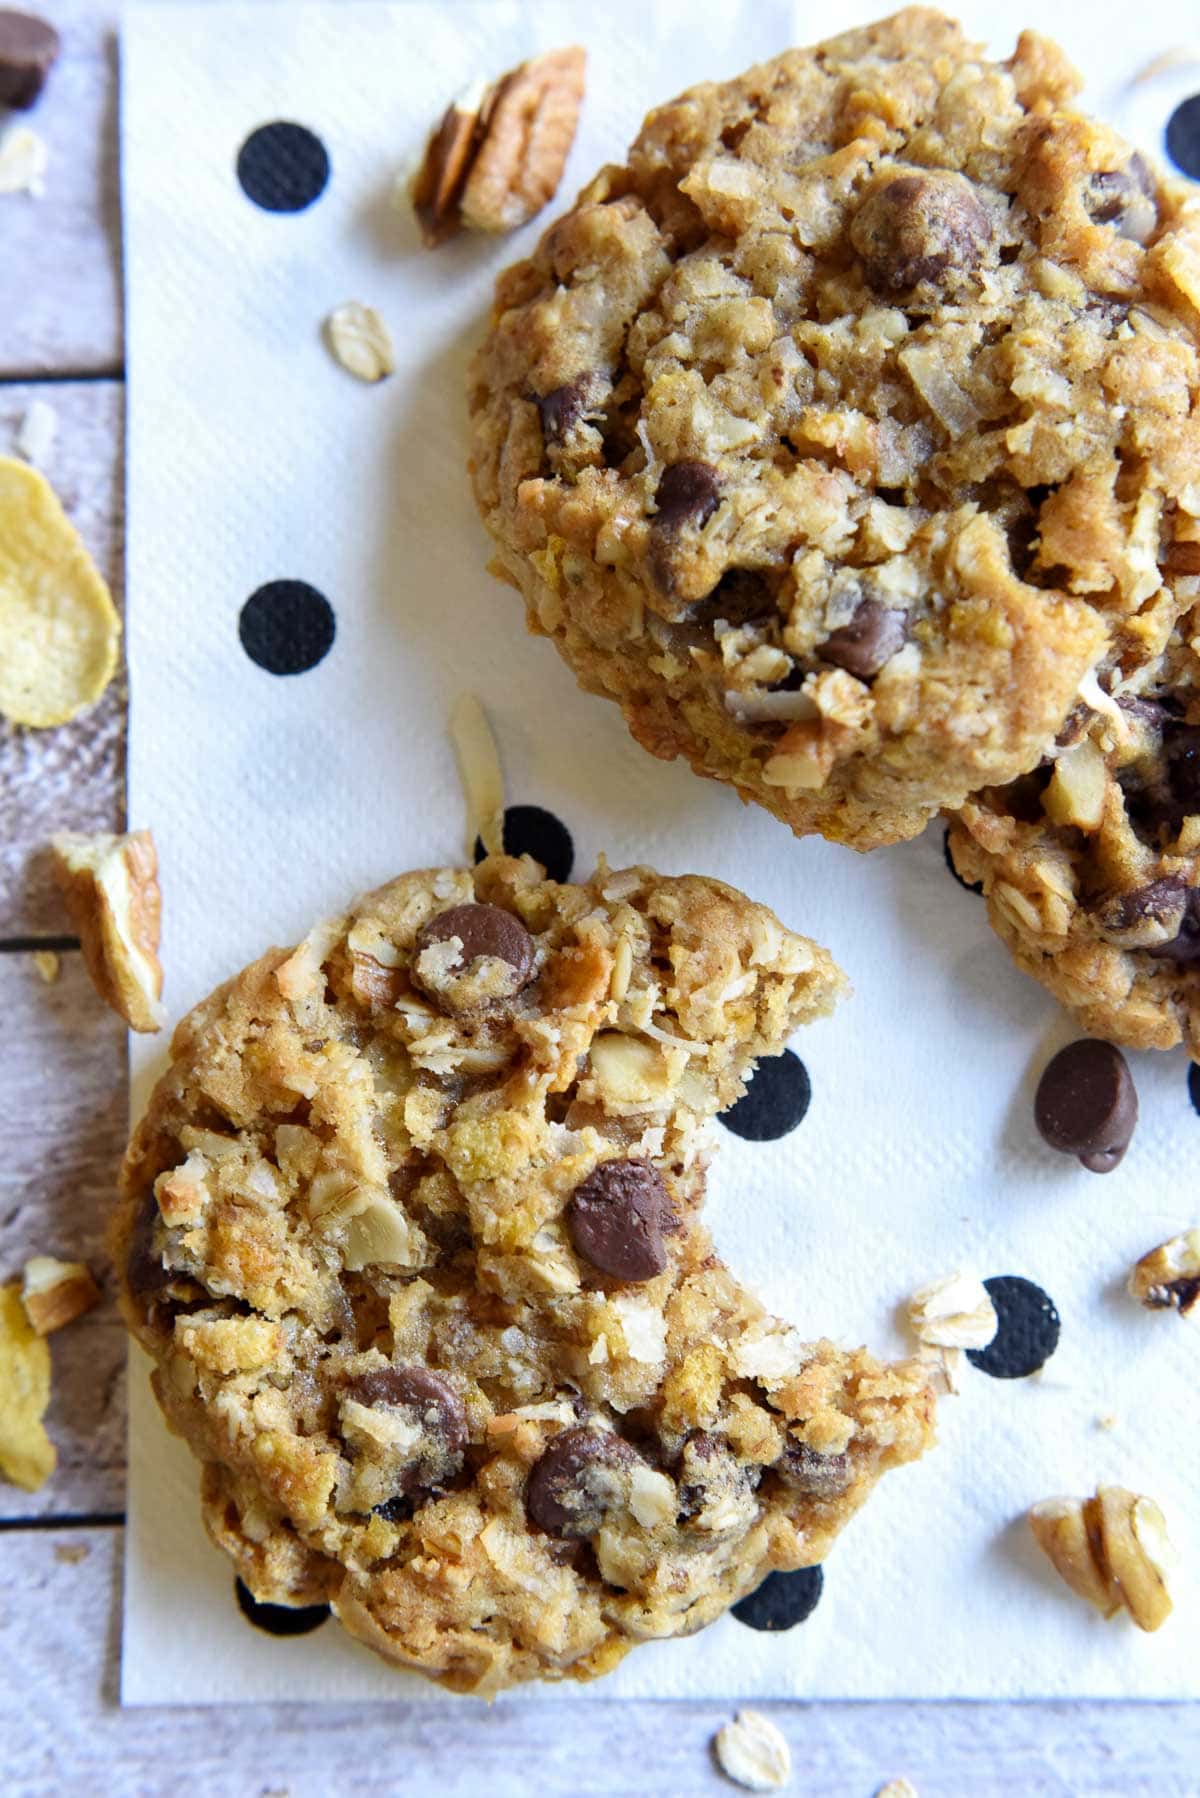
(413, 1234)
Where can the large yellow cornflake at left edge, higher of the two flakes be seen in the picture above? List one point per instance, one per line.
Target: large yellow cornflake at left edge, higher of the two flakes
(58, 625)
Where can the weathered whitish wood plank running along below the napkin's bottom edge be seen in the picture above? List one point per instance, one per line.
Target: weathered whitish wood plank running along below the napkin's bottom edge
(58, 1637)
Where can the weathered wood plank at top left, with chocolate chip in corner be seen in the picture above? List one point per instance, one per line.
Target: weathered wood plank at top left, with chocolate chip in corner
(60, 272)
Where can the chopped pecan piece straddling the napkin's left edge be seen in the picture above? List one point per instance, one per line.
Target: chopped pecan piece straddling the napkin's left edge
(111, 886)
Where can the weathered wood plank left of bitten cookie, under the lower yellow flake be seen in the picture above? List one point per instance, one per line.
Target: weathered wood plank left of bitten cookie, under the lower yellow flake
(64, 1105)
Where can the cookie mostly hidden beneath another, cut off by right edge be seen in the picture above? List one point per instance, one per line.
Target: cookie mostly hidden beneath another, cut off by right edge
(1091, 866)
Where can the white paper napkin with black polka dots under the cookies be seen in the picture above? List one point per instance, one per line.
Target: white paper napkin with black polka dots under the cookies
(307, 601)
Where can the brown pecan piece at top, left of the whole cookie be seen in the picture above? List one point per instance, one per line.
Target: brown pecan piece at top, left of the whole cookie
(499, 154)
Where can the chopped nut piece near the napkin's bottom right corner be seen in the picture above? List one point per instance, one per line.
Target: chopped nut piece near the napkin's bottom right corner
(1111, 1551)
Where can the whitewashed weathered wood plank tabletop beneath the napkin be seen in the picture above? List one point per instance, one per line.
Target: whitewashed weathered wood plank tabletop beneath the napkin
(62, 1130)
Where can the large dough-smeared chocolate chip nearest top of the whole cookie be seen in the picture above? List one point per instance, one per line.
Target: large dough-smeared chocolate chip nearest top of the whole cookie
(920, 227)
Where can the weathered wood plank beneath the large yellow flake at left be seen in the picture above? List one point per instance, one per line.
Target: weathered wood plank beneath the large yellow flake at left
(67, 779)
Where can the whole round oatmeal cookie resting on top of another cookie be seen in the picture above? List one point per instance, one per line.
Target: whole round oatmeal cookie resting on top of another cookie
(852, 423)
